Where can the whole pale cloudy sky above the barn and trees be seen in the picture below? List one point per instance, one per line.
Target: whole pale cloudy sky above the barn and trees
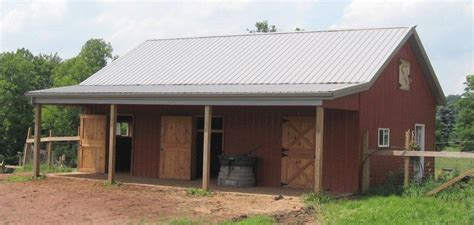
(446, 28)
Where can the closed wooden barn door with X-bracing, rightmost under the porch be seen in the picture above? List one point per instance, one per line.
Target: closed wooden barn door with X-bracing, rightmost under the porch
(298, 143)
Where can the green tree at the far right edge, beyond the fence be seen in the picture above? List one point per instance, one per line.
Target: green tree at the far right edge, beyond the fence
(465, 121)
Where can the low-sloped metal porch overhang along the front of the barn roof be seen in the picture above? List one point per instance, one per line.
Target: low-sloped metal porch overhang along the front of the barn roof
(262, 95)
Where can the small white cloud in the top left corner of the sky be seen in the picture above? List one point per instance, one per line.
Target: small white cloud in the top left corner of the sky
(30, 12)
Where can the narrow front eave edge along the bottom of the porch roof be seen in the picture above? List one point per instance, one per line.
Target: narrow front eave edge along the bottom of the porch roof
(273, 99)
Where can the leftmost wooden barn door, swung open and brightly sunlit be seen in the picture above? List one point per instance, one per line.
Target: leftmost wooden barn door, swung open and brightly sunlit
(92, 143)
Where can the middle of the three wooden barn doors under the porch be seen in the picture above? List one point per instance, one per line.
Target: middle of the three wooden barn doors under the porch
(176, 147)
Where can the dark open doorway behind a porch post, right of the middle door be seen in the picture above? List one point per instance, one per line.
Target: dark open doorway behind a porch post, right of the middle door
(217, 141)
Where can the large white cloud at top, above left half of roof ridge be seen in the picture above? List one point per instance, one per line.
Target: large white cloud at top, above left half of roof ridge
(133, 23)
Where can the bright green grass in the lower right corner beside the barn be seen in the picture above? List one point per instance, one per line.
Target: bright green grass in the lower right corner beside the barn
(396, 205)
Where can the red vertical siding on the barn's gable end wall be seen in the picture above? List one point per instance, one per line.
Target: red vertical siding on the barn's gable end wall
(384, 105)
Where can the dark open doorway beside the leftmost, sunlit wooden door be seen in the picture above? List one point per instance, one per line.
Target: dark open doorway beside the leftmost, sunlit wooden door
(124, 138)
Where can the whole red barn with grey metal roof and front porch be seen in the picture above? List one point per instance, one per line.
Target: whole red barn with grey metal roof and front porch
(299, 102)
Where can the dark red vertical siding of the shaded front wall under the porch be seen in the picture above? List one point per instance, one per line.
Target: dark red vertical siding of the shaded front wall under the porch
(246, 127)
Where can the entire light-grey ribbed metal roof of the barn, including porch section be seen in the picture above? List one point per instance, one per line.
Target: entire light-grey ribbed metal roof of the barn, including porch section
(318, 64)
